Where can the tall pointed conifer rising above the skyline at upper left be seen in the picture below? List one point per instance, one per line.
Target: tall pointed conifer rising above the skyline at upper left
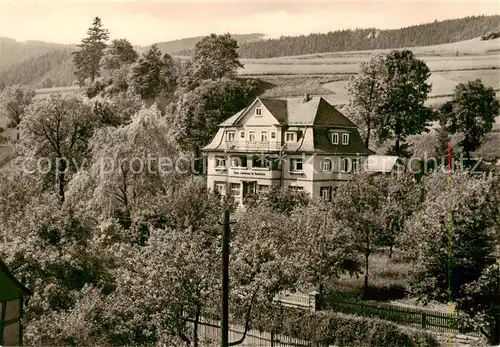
(87, 59)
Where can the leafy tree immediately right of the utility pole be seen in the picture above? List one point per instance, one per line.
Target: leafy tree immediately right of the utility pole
(262, 263)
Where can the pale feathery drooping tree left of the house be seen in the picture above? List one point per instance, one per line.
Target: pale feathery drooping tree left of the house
(129, 165)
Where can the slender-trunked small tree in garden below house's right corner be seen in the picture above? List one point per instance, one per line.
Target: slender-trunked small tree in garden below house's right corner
(359, 207)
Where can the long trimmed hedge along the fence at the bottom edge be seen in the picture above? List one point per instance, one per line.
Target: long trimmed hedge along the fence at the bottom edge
(338, 329)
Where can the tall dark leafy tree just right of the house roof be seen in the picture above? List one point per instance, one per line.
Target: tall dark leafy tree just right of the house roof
(402, 112)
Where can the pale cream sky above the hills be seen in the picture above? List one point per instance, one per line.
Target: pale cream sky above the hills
(146, 22)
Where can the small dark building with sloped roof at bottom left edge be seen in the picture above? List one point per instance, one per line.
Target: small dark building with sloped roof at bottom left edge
(12, 293)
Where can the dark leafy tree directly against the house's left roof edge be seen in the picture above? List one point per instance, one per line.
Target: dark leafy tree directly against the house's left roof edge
(198, 113)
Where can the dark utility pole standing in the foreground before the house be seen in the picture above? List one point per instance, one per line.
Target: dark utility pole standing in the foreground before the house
(225, 280)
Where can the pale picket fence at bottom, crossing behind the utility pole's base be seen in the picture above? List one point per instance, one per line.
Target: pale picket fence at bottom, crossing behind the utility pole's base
(209, 335)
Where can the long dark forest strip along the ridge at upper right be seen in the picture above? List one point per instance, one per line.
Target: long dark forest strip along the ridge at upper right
(366, 39)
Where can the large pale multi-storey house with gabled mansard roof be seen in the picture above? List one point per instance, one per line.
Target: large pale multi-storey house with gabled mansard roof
(302, 144)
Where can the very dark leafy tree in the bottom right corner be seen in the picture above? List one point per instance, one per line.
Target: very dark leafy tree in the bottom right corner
(480, 303)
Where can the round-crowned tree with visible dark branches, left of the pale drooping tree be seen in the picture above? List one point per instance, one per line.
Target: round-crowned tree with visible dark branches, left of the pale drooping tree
(58, 129)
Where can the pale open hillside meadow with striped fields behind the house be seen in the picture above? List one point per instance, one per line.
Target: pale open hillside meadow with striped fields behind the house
(326, 74)
